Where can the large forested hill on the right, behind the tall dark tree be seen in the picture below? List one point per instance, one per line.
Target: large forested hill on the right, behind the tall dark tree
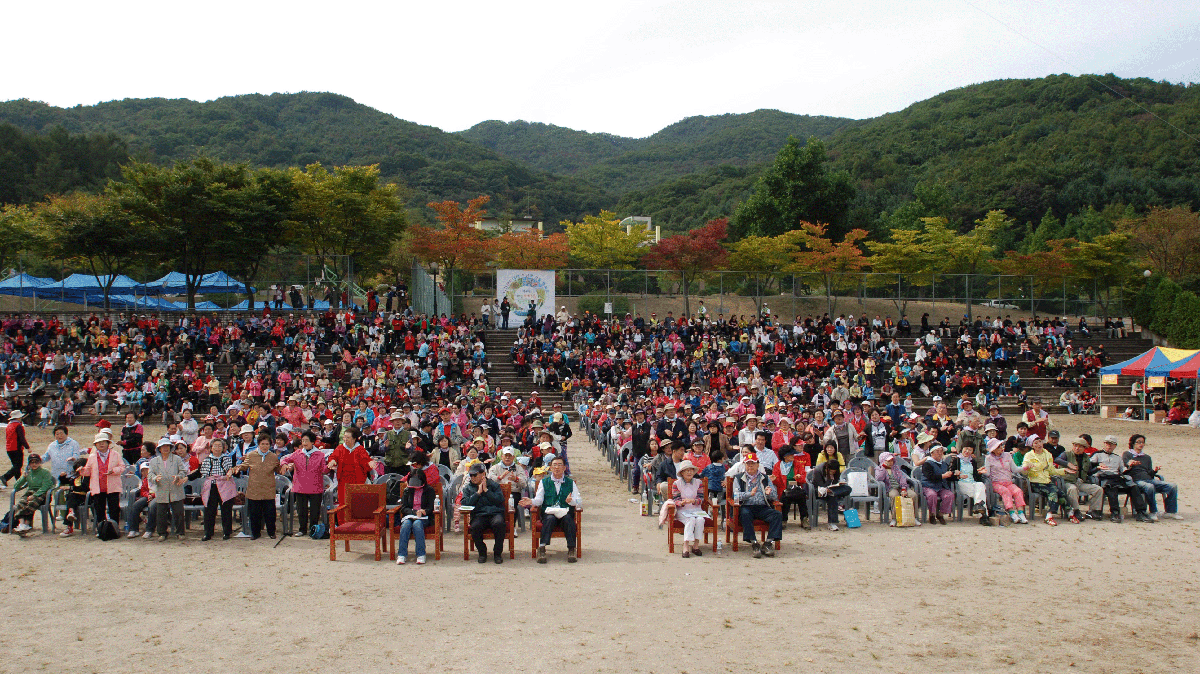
(1059, 143)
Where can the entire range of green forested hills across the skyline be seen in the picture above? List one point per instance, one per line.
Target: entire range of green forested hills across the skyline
(1059, 143)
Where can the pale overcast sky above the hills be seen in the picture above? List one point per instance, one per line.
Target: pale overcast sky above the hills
(620, 67)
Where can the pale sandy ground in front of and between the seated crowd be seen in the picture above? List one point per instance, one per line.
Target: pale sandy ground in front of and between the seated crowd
(1096, 598)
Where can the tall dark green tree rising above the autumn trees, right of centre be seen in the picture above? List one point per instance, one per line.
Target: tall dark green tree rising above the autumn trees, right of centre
(797, 189)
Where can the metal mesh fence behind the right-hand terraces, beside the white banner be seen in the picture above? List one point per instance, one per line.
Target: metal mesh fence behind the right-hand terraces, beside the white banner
(790, 296)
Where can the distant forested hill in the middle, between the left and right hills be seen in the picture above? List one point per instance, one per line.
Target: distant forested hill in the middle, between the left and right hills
(619, 165)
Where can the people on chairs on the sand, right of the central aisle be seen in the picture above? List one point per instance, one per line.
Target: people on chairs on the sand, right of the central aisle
(793, 453)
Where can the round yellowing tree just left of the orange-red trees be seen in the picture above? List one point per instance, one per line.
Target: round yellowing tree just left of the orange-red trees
(350, 213)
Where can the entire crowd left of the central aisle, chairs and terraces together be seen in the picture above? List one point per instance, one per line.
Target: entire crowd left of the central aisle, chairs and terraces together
(328, 401)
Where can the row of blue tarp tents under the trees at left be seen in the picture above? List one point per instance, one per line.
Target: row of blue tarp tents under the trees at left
(125, 292)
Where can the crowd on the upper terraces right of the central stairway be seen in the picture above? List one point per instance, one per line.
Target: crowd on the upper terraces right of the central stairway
(843, 358)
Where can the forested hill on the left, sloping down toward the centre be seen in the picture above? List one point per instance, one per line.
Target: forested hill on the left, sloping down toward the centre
(285, 130)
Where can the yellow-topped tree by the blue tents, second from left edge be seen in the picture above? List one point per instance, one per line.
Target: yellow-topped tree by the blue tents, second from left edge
(91, 230)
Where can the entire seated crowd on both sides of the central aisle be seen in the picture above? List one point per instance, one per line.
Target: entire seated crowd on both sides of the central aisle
(343, 398)
